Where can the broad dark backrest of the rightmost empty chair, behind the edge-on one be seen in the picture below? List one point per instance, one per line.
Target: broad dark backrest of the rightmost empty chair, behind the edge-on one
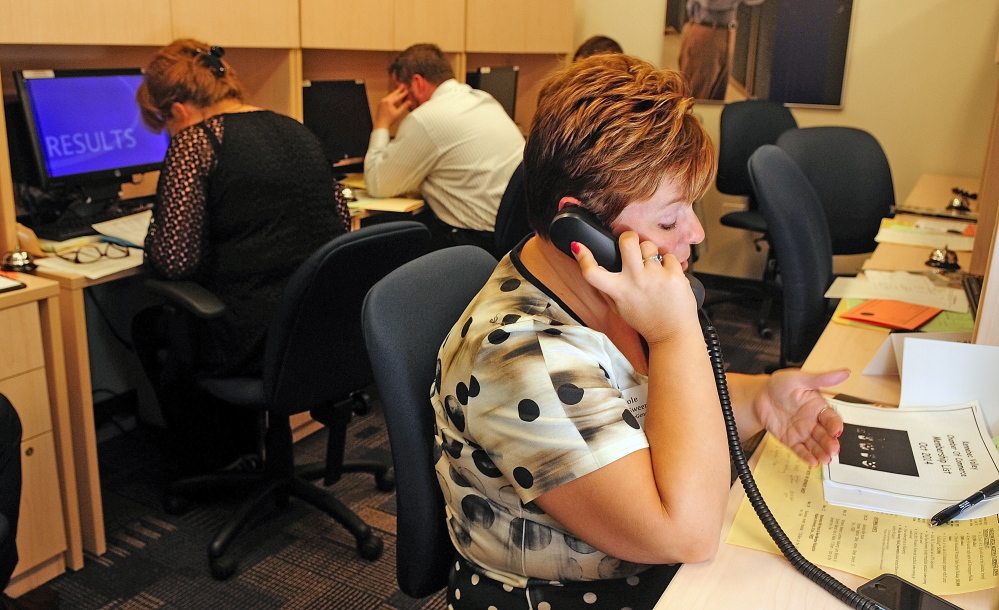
(850, 173)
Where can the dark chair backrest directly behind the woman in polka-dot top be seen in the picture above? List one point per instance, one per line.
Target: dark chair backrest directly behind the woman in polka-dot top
(433, 289)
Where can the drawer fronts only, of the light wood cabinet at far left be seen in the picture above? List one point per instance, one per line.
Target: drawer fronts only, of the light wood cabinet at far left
(41, 534)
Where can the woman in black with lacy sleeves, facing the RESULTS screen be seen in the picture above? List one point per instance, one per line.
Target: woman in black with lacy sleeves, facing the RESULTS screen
(244, 197)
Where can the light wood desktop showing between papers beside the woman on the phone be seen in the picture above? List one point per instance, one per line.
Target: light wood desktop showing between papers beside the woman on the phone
(738, 577)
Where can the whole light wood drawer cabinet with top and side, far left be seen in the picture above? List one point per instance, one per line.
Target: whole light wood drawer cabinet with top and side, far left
(32, 376)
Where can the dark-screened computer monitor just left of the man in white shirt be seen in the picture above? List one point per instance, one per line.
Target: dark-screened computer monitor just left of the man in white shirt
(337, 112)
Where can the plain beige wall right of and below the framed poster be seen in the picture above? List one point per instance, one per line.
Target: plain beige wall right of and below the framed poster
(921, 76)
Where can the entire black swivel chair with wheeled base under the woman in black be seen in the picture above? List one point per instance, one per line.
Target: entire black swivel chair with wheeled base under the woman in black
(314, 360)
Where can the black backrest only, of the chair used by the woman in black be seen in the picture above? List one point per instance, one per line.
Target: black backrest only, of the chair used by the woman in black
(315, 351)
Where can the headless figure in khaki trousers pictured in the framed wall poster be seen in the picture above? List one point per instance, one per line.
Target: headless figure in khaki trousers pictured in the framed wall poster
(706, 43)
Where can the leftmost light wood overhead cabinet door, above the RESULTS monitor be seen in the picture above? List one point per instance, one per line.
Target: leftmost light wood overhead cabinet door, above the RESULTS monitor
(85, 22)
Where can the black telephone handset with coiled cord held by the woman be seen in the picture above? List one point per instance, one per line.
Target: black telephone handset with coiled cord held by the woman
(575, 223)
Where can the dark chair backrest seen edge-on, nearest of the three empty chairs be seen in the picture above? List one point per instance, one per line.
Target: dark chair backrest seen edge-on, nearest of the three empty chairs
(799, 236)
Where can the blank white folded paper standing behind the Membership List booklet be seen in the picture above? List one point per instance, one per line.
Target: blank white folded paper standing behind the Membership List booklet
(939, 373)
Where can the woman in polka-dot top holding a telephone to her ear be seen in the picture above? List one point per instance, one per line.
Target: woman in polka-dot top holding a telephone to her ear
(558, 495)
